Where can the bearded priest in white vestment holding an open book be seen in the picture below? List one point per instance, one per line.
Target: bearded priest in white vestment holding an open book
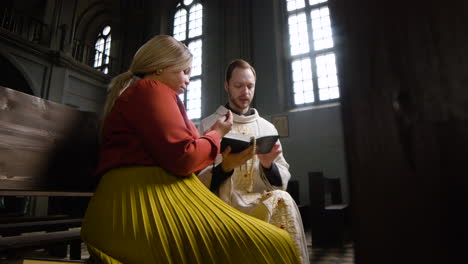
(252, 183)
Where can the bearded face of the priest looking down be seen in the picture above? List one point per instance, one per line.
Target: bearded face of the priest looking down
(241, 89)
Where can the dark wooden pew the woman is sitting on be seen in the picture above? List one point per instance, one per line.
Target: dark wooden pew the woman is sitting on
(46, 149)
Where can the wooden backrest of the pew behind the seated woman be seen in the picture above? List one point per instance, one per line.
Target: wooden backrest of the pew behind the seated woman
(46, 148)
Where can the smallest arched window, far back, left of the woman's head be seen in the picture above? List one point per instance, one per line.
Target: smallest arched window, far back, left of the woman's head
(102, 50)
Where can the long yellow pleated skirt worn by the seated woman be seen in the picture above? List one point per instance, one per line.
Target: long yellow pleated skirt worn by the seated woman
(145, 215)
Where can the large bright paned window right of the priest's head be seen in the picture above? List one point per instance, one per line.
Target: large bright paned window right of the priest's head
(311, 52)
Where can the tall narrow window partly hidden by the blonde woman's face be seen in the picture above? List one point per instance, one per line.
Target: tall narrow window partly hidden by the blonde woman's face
(188, 28)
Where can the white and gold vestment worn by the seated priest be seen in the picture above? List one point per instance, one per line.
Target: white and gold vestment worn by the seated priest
(248, 189)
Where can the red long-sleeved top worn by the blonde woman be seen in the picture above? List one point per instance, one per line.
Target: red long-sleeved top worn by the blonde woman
(148, 125)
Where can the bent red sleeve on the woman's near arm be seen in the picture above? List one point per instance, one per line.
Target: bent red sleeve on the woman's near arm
(152, 109)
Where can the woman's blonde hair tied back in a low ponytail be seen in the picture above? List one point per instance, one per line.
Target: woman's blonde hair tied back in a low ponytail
(157, 53)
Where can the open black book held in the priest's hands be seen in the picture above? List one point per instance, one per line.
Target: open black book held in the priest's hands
(239, 142)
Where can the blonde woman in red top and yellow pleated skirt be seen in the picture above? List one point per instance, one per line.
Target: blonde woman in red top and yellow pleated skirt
(149, 207)
